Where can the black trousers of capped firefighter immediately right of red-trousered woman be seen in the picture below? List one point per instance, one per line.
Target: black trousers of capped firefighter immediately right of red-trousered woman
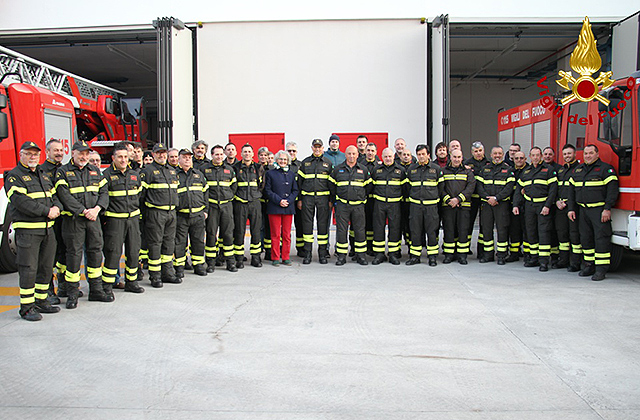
(316, 206)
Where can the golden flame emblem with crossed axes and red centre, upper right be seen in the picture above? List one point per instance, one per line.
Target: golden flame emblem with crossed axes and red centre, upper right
(585, 60)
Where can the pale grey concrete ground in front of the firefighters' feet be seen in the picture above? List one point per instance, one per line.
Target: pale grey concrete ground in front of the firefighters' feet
(324, 342)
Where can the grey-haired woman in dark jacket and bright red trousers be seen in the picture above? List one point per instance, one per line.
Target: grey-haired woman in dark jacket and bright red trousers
(281, 190)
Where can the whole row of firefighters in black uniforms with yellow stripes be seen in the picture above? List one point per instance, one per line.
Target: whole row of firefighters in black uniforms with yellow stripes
(181, 202)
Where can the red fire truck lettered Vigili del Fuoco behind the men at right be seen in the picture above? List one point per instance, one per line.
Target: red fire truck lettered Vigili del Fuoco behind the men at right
(613, 128)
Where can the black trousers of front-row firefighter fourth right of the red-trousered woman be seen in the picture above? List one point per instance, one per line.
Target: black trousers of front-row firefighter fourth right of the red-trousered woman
(424, 220)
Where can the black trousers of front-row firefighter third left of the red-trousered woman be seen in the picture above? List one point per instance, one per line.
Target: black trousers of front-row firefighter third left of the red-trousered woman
(189, 229)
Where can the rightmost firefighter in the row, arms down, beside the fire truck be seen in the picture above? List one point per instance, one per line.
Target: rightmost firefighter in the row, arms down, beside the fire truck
(593, 188)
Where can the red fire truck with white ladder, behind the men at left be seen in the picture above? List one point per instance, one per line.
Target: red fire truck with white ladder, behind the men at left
(39, 102)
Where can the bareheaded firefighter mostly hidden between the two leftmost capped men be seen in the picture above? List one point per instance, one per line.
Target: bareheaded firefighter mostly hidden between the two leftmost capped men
(55, 154)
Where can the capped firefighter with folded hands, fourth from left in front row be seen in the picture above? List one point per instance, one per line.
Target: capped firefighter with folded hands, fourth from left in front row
(159, 198)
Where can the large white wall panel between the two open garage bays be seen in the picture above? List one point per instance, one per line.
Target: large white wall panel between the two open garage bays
(311, 78)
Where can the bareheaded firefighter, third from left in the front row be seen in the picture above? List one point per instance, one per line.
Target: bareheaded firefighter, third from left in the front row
(121, 220)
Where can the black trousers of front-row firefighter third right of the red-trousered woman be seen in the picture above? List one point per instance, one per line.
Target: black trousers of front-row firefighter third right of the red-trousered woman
(383, 211)
